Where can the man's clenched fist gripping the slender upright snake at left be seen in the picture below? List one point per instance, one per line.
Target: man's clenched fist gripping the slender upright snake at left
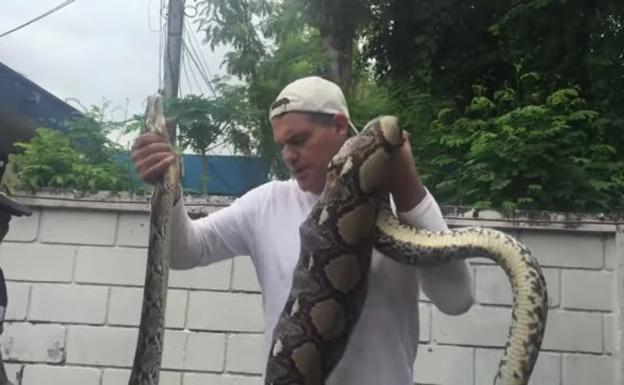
(151, 155)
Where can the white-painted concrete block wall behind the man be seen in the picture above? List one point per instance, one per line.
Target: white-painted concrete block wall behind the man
(75, 273)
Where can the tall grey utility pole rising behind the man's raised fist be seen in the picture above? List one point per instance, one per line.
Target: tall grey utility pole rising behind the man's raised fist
(173, 54)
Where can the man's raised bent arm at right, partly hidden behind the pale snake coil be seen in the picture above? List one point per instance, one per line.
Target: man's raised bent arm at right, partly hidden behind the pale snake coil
(449, 286)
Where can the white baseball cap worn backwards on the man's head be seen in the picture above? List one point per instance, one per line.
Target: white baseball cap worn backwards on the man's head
(311, 94)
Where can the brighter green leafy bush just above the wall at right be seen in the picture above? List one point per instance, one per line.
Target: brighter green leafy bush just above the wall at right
(520, 147)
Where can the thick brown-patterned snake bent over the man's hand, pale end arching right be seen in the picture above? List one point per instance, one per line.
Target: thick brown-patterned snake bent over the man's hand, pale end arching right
(330, 278)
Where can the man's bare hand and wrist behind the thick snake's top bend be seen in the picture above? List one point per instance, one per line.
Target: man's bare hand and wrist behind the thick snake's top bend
(404, 182)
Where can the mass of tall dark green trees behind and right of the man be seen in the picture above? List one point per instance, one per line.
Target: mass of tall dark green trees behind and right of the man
(463, 78)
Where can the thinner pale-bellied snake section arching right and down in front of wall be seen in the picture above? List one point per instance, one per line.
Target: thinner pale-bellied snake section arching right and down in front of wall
(530, 299)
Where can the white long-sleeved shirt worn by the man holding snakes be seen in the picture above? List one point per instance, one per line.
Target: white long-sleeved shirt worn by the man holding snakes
(264, 224)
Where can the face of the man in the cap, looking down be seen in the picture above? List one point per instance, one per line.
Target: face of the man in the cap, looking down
(308, 147)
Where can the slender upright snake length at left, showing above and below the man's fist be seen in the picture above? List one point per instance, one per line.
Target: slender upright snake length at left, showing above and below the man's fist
(149, 348)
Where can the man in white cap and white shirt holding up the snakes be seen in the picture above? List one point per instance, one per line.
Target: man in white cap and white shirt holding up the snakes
(310, 122)
